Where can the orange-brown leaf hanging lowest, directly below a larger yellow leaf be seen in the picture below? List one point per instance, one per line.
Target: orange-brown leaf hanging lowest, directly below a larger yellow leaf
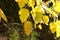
(28, 27)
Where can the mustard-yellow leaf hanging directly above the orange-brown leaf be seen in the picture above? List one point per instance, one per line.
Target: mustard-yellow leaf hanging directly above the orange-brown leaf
(24, 14)
